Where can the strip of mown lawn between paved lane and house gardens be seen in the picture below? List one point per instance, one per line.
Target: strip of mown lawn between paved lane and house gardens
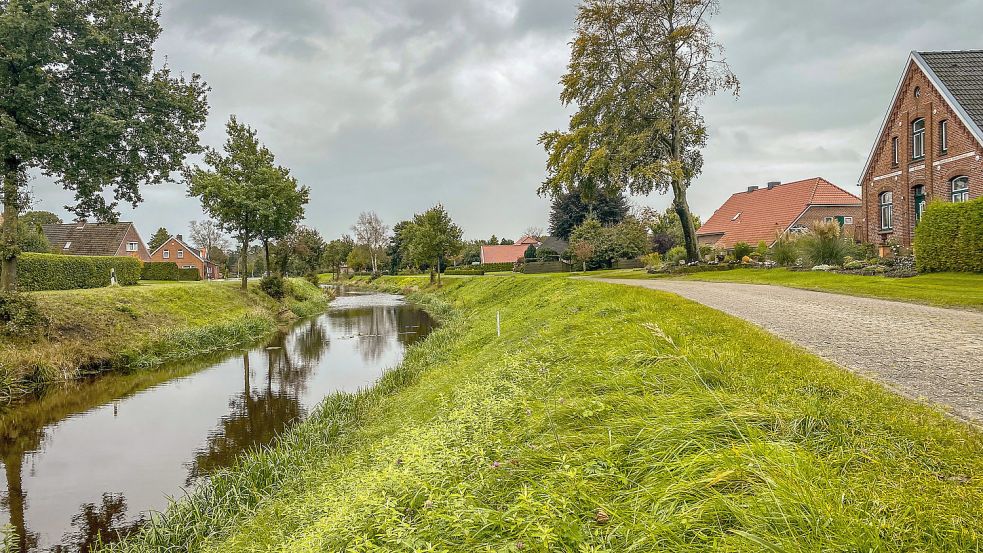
(963, 290)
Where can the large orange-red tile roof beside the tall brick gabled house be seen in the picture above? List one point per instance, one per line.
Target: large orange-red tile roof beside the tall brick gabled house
(764, 213)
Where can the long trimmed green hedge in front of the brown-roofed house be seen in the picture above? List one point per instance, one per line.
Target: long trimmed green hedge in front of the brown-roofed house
(45, 271)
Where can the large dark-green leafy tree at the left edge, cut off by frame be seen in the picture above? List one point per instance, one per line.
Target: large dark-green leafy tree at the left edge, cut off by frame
(83, 103)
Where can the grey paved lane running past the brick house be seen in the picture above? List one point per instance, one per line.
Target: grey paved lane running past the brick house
(930, 353)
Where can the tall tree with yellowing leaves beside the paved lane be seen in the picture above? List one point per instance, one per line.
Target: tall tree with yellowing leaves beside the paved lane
(638, 72)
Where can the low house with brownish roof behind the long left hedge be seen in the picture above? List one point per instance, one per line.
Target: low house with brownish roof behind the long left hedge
(105, 239)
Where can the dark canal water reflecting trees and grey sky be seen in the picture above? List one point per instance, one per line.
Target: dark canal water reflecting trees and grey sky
(94, 457)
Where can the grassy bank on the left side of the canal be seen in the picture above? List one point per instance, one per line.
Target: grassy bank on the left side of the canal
(142, 326)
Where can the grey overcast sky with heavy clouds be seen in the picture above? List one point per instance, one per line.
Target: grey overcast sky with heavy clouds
(395, 105)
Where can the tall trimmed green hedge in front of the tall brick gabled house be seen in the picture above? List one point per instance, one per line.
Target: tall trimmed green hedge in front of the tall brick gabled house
(950, 237)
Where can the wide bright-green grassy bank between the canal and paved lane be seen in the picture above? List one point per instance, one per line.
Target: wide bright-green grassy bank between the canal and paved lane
(605, 418)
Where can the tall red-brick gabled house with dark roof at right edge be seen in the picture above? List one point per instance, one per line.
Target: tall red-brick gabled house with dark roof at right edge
(928, 147)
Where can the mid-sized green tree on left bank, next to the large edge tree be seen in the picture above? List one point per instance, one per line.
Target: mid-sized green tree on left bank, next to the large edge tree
(236, 192)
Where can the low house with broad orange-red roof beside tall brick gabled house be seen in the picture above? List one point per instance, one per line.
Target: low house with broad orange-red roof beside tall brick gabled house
(763, 214)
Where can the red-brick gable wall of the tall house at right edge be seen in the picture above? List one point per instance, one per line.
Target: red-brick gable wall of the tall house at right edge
(935, 171)
